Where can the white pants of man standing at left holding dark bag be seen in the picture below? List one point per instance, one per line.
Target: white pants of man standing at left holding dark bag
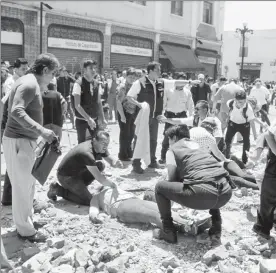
(20, 157)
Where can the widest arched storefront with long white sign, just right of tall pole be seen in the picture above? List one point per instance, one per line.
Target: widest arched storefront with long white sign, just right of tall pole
(72, 46)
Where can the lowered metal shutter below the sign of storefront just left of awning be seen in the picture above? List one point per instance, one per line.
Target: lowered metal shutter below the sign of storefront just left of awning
(122, 61)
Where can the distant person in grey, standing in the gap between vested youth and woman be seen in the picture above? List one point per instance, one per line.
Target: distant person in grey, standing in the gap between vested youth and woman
(112, 93)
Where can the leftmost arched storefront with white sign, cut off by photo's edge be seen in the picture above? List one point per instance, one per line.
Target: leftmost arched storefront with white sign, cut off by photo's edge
(11, 39)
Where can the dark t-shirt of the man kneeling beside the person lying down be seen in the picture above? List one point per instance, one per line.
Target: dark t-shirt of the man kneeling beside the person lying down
(75, 161)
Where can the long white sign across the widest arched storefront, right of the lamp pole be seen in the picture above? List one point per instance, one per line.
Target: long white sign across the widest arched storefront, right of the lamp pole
(74, 44)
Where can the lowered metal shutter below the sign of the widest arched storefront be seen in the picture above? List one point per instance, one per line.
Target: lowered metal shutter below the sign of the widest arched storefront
(73, 59)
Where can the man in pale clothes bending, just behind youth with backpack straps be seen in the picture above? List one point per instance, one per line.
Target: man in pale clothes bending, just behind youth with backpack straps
(224, 94)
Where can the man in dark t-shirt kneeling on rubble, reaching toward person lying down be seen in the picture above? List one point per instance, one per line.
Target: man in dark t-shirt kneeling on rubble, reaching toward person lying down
(80, 167)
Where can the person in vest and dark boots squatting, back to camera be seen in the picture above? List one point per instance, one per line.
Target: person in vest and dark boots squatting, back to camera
(205, 183)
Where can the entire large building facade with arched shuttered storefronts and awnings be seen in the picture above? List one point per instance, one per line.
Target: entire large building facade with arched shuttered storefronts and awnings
(181, 35)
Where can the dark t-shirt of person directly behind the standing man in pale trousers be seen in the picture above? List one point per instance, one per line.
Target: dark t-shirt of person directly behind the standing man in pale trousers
(52, 110)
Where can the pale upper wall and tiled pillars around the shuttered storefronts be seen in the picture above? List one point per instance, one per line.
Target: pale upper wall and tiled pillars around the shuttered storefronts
(153, 21)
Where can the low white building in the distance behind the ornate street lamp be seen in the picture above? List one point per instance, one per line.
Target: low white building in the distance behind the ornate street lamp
(260, 60)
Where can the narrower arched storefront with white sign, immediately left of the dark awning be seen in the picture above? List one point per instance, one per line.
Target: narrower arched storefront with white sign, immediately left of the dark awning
(129, 51)
